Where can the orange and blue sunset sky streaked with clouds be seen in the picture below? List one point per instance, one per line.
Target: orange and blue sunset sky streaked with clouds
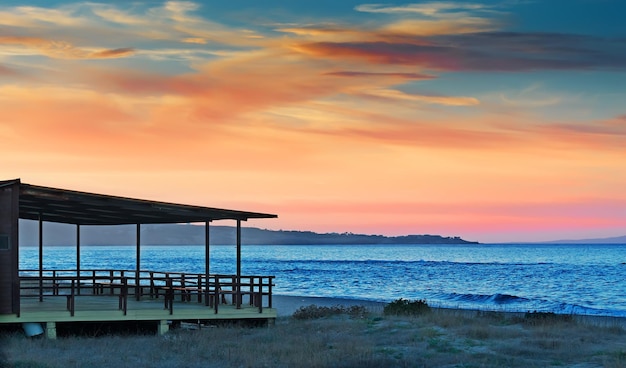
(489, 120)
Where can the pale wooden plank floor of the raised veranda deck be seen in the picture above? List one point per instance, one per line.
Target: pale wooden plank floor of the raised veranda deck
(89, 308)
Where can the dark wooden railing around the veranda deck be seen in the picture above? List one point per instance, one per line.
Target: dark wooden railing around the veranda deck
(211, 290)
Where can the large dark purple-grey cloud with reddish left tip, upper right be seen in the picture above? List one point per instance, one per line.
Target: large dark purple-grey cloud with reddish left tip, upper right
(482, 51)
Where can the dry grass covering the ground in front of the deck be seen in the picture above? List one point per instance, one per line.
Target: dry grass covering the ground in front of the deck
(441, 338)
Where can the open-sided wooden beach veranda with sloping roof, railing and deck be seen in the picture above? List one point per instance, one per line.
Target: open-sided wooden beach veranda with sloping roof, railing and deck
(51, 296)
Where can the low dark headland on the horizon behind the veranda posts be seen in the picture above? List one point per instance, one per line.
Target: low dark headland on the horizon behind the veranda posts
(184, 234)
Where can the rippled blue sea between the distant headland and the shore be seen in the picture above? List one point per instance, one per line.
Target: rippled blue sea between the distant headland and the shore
(586, 279)
